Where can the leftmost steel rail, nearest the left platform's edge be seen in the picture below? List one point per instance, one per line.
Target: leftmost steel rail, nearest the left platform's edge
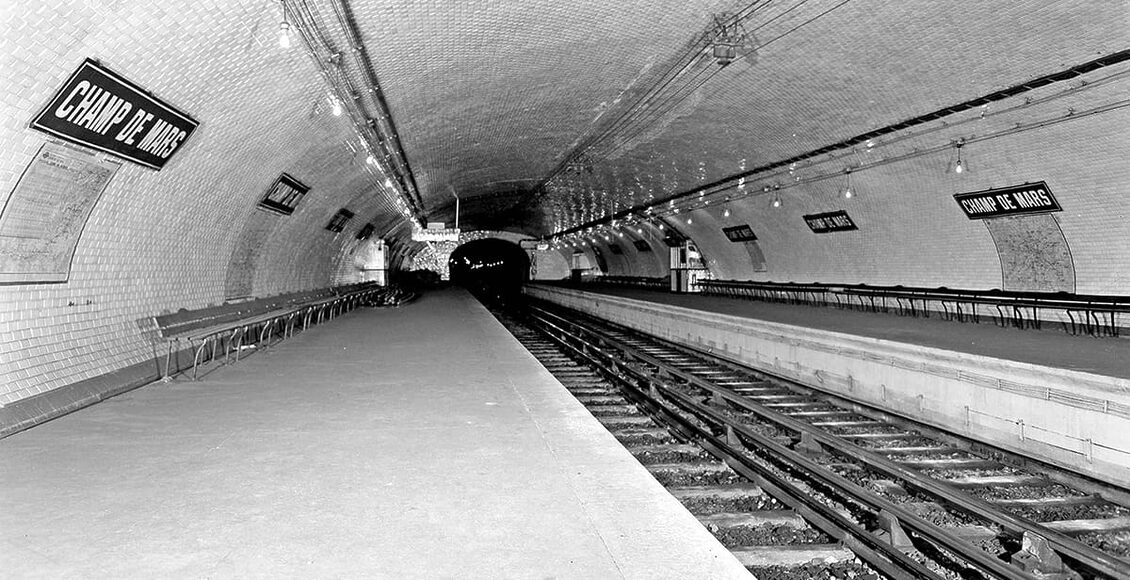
(870, 548)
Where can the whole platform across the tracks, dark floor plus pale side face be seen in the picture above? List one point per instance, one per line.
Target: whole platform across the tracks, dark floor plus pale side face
(1061, 399)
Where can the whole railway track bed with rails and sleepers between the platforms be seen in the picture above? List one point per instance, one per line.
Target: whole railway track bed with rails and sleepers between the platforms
(938, 506)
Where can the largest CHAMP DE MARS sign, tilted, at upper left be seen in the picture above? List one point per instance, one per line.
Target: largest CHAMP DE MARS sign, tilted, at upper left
(105, 111)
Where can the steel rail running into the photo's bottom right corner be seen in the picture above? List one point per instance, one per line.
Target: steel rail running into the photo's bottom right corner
(1071, 548)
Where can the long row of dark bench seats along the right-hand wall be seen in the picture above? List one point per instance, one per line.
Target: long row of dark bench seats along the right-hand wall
(1093, 315)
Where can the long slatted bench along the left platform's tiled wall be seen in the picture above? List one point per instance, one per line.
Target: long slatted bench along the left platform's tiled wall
(231, 325)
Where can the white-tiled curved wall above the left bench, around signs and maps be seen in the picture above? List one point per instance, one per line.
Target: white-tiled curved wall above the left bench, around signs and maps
(161, 241)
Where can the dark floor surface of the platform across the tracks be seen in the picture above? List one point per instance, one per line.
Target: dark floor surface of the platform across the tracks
(1048, 348)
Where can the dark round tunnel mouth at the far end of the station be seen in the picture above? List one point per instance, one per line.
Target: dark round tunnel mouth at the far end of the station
(493, 269)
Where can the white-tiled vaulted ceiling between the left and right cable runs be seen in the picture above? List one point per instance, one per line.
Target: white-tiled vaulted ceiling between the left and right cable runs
(493, 98)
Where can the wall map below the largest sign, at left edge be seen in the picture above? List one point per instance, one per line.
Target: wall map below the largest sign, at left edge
(45, 217)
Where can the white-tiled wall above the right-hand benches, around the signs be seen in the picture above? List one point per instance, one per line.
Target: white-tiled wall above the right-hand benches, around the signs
(912, 232)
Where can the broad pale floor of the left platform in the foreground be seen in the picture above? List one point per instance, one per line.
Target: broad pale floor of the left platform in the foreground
(416, 443)
